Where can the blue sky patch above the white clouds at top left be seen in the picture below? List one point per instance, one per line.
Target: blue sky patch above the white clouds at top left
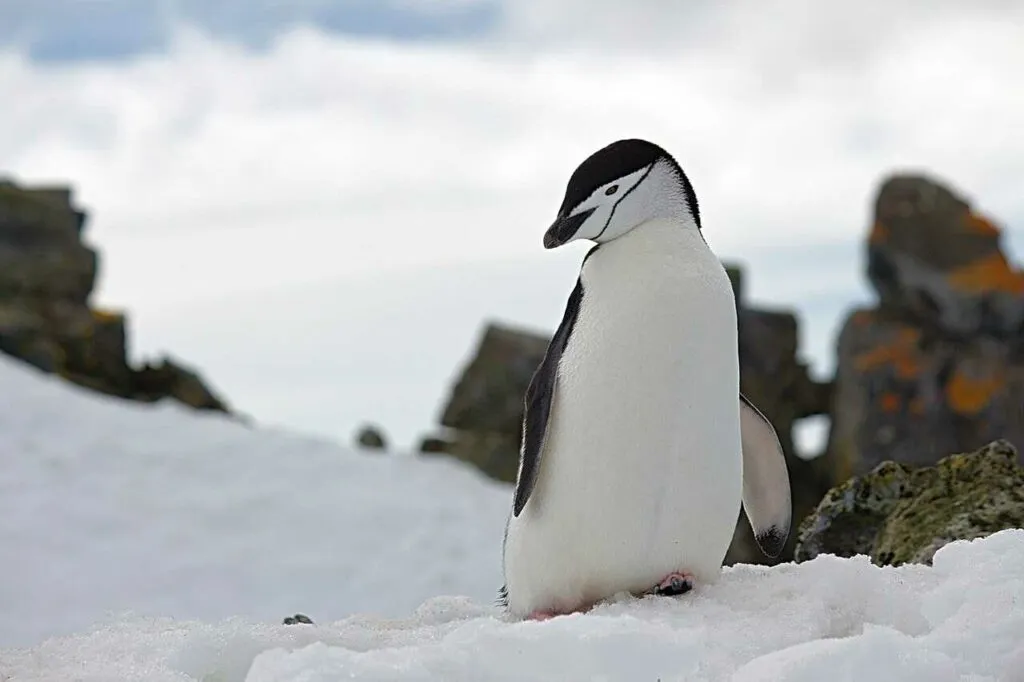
(105, 30)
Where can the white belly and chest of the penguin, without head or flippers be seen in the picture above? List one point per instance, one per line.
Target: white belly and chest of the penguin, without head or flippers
(643, 474)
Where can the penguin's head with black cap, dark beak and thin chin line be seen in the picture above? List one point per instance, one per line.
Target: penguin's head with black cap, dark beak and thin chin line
(620, 187)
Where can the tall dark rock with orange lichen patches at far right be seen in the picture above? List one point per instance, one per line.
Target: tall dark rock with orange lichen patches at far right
(938, 365)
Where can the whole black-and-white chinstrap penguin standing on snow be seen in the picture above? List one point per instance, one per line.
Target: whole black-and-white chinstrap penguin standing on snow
(638, 448)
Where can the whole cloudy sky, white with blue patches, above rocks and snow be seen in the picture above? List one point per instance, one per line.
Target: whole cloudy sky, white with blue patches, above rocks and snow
(321, 202)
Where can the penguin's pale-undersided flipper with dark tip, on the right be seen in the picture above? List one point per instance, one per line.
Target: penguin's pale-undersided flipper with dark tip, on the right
(766, 481)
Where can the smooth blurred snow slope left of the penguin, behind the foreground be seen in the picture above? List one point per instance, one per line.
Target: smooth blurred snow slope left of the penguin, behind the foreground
(108, 506)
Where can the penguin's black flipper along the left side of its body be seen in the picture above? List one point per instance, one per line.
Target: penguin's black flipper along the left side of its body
(538, 403)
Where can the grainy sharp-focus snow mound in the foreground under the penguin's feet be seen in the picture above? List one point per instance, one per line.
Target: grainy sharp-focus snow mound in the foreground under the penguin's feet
(831, 619)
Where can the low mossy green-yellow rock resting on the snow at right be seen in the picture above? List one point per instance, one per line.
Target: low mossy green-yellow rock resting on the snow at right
(902, 515)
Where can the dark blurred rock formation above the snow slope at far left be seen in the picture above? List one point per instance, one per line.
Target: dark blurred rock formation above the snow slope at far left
(48, 275)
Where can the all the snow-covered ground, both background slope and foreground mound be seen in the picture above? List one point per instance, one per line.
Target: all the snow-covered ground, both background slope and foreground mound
(211, 533)
